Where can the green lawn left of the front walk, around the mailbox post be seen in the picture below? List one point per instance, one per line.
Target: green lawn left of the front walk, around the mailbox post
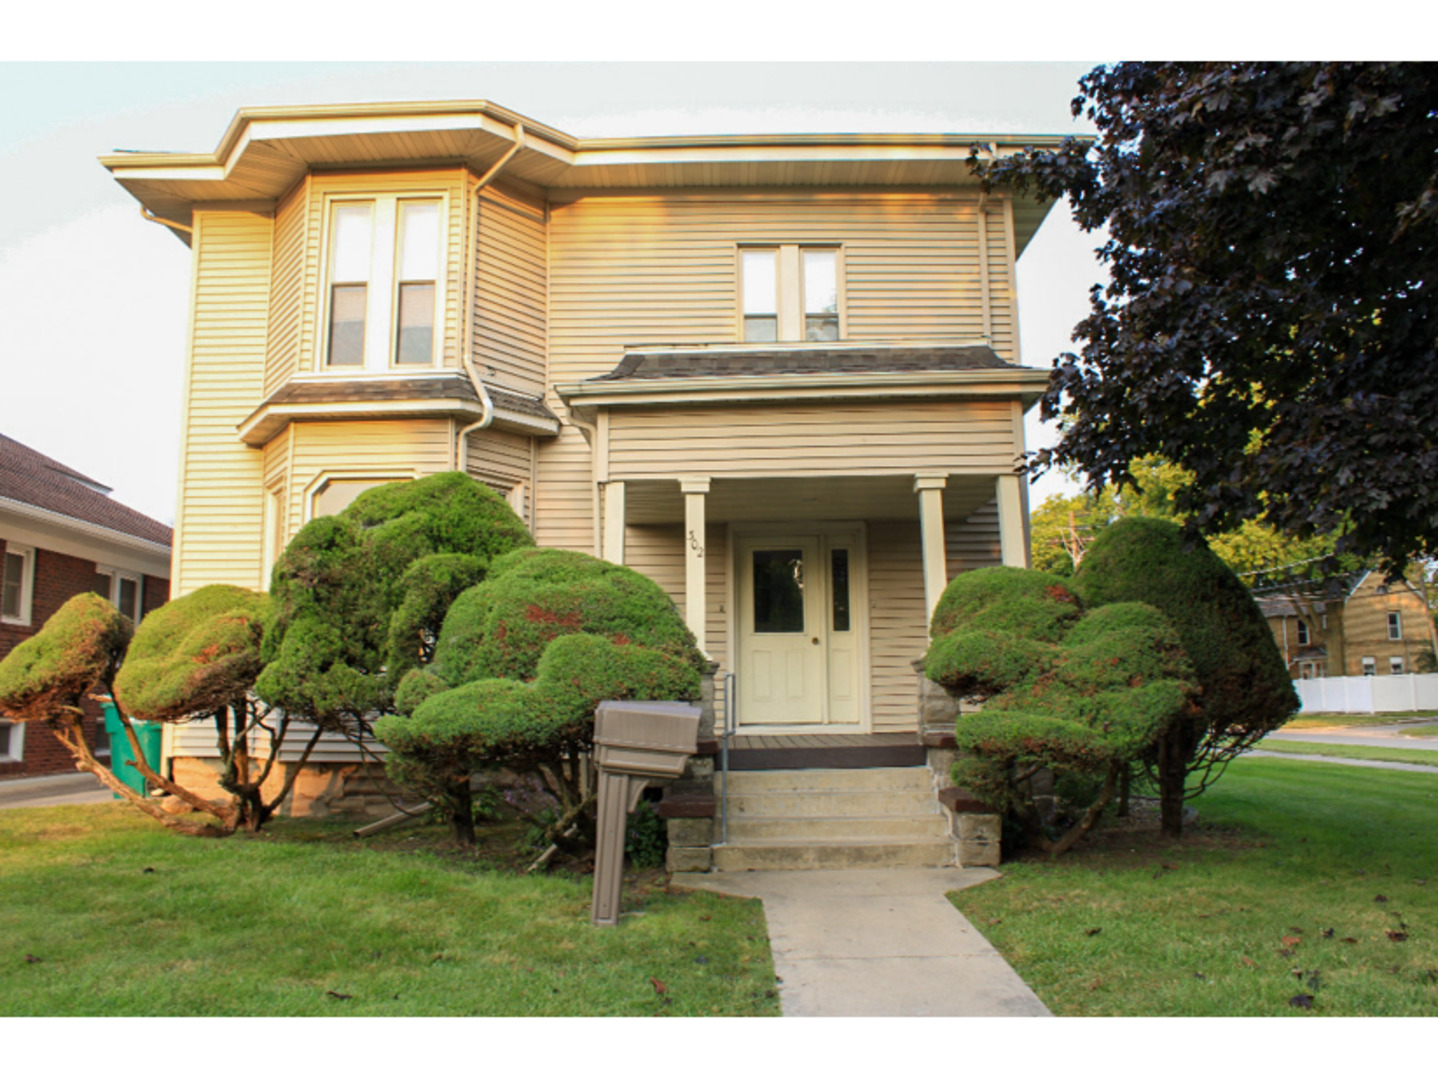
(107, 915)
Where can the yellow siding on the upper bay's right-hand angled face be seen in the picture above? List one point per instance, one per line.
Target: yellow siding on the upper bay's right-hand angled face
(508, 336)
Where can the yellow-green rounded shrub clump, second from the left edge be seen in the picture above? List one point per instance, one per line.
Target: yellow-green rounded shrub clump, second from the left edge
(196, 655)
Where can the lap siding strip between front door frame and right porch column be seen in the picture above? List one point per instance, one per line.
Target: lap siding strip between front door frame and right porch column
(898, 623)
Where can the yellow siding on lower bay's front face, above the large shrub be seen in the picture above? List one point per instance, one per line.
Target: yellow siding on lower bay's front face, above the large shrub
(400, 449)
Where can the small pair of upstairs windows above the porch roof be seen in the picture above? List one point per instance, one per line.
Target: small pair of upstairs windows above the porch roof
(790, 293)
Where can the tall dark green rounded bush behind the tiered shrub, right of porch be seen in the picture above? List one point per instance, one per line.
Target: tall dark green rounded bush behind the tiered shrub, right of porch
(1245, 690)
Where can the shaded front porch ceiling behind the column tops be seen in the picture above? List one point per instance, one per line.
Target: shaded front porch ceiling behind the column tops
(805, 498)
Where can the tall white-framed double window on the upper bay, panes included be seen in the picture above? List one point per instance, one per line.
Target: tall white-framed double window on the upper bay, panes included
(385, 284)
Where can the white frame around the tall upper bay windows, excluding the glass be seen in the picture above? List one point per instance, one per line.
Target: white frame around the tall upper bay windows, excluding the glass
(383, 283)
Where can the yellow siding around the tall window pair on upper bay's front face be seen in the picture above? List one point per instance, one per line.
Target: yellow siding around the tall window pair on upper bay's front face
(448, 182)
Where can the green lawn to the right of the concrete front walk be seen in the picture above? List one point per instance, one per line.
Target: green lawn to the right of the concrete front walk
(1293, 882)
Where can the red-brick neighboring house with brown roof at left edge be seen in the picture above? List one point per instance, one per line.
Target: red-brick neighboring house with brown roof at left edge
(61, 534)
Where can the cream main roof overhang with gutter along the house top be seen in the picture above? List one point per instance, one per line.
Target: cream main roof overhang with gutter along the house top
(267, 152)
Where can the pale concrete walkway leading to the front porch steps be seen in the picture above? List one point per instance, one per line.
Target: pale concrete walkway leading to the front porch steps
(878, 944)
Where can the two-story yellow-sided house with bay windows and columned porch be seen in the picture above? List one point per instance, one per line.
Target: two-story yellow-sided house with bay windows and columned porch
(780, 375)
